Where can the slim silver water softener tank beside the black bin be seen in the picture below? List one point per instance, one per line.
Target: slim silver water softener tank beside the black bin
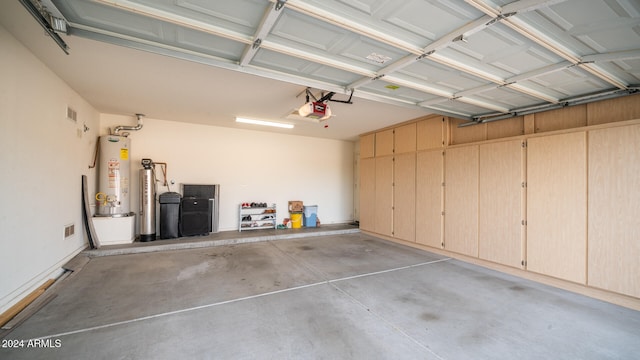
(147, 201)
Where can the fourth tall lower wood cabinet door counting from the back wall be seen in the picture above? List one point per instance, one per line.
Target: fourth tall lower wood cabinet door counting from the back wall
(429, 177)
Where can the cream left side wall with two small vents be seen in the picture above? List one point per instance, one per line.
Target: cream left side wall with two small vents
(42, 157)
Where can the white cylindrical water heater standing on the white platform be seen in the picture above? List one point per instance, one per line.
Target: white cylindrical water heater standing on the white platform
(113, 176)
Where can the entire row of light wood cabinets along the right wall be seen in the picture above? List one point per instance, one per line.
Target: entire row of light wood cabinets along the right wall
(564, 205)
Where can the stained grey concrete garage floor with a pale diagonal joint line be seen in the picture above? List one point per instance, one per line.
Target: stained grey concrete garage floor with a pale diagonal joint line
(341, 296)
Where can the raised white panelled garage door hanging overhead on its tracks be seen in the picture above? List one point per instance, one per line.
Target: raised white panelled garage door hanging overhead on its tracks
(479, 60)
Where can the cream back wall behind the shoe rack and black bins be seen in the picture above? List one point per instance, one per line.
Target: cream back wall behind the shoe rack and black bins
(250, 166)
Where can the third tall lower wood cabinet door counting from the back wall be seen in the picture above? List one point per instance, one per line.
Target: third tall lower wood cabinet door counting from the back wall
(404, 197)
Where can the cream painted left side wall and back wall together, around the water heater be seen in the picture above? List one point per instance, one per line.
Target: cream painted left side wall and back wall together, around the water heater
(43, 155)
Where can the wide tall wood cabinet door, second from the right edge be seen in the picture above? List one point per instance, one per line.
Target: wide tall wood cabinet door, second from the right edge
(557, 206)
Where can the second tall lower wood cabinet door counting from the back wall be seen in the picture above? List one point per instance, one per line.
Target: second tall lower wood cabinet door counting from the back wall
(384, 196)
